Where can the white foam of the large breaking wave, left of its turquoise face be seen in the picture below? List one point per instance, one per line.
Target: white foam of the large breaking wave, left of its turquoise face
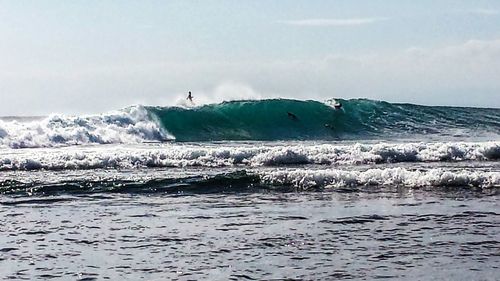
(130, 125)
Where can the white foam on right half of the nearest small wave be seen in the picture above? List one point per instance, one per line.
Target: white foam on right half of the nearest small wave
(337, 178)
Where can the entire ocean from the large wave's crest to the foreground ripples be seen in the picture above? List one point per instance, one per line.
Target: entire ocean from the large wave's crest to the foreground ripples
(273, 189)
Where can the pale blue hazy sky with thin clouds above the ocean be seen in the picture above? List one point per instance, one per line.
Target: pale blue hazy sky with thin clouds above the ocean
(85, 56)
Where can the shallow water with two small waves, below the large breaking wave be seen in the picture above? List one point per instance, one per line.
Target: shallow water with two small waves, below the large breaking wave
(303, 210)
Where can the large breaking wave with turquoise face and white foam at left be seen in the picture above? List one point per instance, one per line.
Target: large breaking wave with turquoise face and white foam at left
(274, 119)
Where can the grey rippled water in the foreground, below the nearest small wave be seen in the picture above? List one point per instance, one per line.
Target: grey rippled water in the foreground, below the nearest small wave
(347, 233)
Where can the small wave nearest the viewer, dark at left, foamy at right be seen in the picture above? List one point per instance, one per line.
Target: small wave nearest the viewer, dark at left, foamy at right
(257, 181)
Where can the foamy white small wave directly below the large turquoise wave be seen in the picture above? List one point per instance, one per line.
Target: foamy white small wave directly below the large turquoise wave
(252, 155)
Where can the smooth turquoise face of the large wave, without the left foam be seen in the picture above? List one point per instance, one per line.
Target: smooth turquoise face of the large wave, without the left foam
(283, 119)
